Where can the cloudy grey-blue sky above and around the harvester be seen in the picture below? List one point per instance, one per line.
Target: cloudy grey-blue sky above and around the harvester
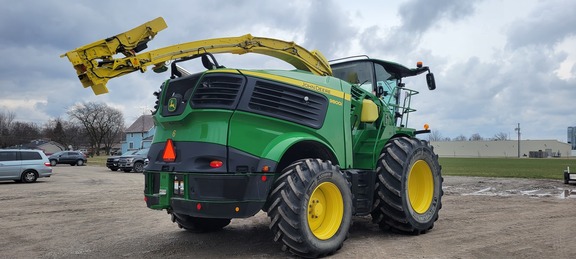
(497, 62)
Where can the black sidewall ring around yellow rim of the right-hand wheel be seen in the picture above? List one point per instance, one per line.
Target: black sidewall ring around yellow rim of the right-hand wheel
(426, 219)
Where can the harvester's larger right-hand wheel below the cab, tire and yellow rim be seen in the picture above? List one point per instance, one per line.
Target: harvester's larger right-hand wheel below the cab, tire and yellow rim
(408, 193)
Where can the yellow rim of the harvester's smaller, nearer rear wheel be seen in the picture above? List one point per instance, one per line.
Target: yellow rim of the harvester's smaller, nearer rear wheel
(325, 210)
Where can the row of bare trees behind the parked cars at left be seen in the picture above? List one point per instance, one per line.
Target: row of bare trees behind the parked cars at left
(95, 125)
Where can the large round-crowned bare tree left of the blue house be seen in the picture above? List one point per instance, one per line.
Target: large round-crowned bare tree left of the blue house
(100, 121)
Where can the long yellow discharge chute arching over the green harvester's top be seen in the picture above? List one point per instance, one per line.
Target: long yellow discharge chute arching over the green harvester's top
(95, 64)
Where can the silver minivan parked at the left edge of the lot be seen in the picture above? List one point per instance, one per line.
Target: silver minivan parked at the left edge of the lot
(23, 165)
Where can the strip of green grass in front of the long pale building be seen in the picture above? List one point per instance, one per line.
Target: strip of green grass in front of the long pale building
(543, 168)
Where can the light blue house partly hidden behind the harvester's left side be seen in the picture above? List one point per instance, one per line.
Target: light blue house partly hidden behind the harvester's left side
(139, 135)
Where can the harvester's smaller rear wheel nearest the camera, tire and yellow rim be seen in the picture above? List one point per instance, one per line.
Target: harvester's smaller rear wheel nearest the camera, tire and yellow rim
(311, 208)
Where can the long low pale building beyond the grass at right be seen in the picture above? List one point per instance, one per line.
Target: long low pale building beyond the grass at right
(505, 148)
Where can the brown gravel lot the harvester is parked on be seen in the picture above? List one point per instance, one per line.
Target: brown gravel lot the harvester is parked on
(91, 212)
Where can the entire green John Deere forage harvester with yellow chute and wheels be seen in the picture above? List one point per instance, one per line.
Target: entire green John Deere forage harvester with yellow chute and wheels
(311, 147)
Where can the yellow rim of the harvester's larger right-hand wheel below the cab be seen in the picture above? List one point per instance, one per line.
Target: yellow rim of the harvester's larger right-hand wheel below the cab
(420, 186)
